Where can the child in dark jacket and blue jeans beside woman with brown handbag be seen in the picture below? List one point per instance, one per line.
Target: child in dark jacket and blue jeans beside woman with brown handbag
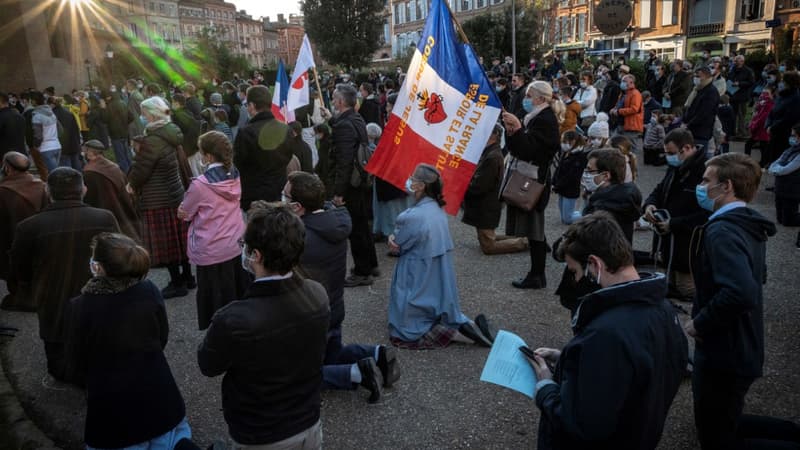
(567, 176)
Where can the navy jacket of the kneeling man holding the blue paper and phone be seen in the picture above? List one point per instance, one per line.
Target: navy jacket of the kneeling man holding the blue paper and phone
(616, 379)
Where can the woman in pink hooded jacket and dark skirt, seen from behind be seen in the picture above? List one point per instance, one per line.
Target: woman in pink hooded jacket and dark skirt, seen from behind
(211, 204)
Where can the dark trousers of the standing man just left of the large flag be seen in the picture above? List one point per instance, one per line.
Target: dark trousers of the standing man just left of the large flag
(361, 244)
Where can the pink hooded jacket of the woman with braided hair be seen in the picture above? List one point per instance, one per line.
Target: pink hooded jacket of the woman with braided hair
(212, 206)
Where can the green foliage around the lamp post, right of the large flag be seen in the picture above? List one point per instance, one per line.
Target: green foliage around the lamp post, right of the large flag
(490, 33)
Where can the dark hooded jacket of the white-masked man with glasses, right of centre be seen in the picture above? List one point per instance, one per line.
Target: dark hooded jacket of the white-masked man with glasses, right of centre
(622, 201)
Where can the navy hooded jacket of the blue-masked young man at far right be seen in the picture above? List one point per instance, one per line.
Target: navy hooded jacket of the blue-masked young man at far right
(729, 270)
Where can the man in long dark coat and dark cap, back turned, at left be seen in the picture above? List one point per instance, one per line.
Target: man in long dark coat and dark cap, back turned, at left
(46, 254)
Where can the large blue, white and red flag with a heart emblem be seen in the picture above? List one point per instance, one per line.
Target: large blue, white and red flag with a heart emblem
(445, 112)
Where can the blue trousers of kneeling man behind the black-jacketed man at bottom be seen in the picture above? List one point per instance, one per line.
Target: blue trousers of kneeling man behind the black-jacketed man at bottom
(339, 359)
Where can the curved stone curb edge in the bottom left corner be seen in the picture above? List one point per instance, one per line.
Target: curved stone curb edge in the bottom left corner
(17, 431)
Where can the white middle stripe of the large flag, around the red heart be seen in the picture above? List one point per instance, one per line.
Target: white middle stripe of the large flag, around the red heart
(465, 122)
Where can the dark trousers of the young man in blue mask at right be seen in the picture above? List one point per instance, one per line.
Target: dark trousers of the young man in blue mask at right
(718, 403)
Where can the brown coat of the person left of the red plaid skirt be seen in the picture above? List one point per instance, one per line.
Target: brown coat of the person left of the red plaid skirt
(105, 189)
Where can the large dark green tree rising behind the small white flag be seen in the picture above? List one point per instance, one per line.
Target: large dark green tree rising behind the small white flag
(346, 32)
